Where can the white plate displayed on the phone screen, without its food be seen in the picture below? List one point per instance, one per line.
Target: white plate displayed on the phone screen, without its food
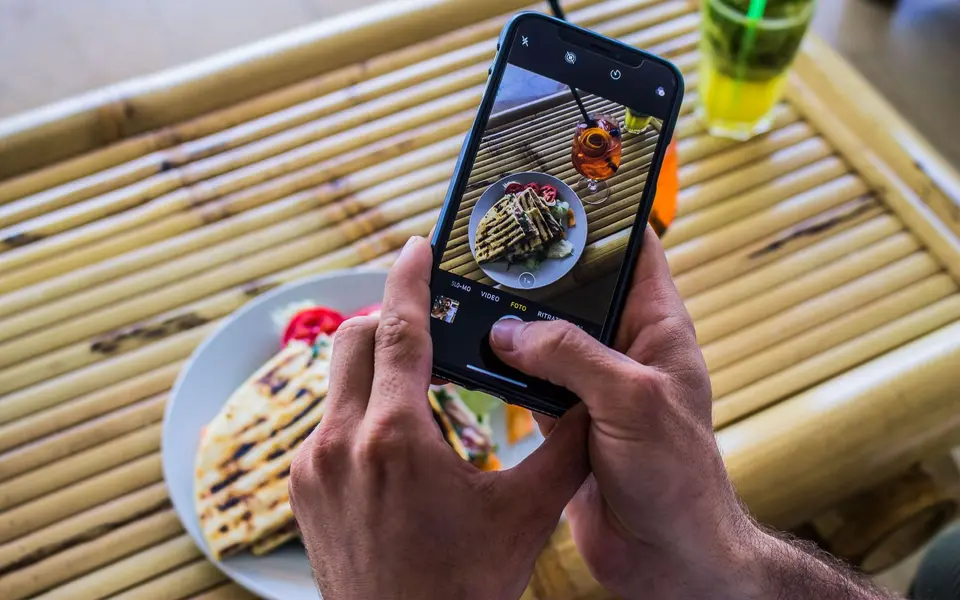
(550, 270)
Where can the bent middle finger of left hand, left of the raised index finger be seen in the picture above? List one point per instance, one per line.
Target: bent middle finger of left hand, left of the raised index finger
(351, 371)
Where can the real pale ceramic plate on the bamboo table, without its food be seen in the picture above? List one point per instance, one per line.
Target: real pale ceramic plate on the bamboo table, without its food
(216, 368)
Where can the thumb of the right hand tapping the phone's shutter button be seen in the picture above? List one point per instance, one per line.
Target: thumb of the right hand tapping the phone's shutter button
(561, 354)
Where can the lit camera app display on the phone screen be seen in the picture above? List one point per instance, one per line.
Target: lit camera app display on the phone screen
(542, 228)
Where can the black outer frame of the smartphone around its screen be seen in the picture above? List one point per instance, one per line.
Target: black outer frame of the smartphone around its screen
(564, 399)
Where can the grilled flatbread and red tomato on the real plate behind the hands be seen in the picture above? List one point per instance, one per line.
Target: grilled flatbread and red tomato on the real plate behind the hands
(243, 462)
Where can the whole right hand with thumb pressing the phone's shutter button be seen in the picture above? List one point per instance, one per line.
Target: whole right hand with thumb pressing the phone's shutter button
(659, 515)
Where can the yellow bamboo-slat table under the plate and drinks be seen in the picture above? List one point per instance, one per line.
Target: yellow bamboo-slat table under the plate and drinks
(820, 262)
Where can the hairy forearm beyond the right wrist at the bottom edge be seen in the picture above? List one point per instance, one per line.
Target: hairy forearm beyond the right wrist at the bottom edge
(788, 570)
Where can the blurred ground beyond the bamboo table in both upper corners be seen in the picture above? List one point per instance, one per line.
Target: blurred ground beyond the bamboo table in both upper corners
(51, 49)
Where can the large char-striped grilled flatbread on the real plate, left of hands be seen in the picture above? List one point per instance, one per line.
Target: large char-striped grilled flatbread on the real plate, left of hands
(243, 463)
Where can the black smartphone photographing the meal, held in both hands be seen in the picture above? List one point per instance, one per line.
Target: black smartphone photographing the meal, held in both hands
(545, 215)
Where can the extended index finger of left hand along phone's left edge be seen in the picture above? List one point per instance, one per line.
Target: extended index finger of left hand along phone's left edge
(403, 350)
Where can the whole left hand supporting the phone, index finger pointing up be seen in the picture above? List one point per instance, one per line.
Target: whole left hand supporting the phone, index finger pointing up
(386, 508)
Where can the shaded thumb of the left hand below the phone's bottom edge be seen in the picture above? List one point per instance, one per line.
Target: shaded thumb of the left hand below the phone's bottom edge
(554, 472)
